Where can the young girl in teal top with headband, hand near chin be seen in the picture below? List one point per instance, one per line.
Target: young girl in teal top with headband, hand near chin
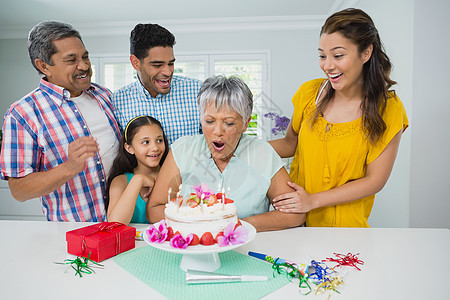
(143, 149)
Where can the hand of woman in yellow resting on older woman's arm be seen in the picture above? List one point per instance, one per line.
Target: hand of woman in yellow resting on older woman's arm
(294, 202)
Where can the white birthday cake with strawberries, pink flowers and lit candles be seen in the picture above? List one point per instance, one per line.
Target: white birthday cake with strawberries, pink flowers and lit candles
(204, 217)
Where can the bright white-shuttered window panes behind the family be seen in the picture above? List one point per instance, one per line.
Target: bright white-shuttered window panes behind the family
(115, 72)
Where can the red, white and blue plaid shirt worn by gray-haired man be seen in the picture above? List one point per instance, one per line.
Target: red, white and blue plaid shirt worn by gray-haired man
(37, 131)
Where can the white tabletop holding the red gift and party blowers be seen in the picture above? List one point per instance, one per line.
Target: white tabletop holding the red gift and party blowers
(398, 263)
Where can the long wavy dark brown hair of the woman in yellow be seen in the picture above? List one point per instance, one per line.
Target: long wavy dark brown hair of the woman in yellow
(358, 27)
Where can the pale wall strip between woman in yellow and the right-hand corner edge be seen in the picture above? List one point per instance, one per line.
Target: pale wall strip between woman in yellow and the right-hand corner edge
(394, 22)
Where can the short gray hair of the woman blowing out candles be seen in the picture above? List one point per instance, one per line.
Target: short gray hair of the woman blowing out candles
(230, 93)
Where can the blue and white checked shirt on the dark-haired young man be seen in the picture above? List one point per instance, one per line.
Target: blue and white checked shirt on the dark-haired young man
(177, 111)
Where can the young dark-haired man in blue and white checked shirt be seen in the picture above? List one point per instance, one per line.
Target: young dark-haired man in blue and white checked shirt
(169, 98)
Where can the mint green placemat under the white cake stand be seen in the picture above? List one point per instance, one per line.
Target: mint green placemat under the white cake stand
(161, 271)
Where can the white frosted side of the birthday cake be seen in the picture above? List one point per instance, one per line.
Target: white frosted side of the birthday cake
(188, 220)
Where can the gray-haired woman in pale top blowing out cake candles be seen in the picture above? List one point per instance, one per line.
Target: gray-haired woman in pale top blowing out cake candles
(249, 169)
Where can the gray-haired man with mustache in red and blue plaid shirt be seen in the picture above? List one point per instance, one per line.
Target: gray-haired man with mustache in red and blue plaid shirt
(60, 140)
